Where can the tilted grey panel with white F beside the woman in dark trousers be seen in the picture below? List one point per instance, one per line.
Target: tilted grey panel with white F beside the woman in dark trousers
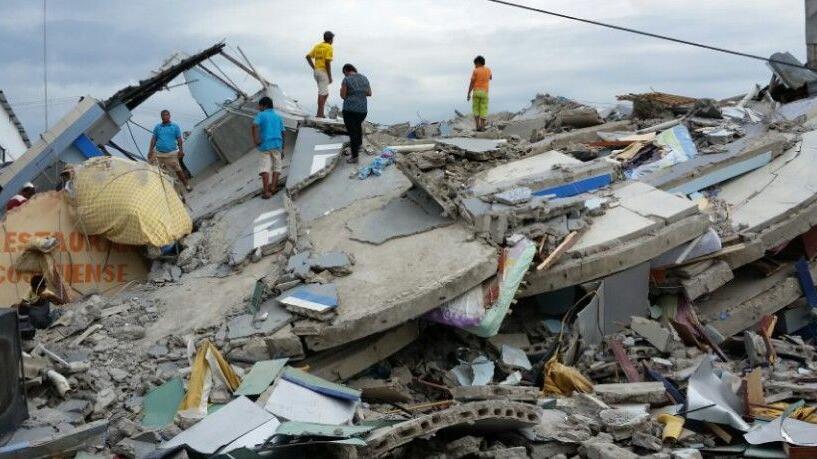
(314, 156)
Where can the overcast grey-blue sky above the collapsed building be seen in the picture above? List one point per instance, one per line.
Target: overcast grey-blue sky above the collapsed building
(417, 53)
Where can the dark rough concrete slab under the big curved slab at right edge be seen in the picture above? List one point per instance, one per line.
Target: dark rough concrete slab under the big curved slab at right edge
(741, 303)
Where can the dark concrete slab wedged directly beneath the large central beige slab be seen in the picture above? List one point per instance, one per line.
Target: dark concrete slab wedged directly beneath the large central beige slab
(342, 364)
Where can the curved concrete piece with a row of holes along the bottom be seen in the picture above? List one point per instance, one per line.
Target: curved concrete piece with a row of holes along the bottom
(492, 415)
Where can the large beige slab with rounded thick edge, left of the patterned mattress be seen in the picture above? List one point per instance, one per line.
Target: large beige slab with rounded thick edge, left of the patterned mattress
(399, 280)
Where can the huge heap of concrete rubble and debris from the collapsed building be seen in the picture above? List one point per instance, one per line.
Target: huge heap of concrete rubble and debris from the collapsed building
(636, 282)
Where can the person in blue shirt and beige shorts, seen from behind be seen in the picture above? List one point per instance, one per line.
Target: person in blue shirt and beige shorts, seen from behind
(268, 137)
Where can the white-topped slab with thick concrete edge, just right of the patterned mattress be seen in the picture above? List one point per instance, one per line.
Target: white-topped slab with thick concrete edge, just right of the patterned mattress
(646, 223)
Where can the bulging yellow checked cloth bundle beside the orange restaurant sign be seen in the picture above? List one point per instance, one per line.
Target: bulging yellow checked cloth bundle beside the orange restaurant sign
(128, 202)
